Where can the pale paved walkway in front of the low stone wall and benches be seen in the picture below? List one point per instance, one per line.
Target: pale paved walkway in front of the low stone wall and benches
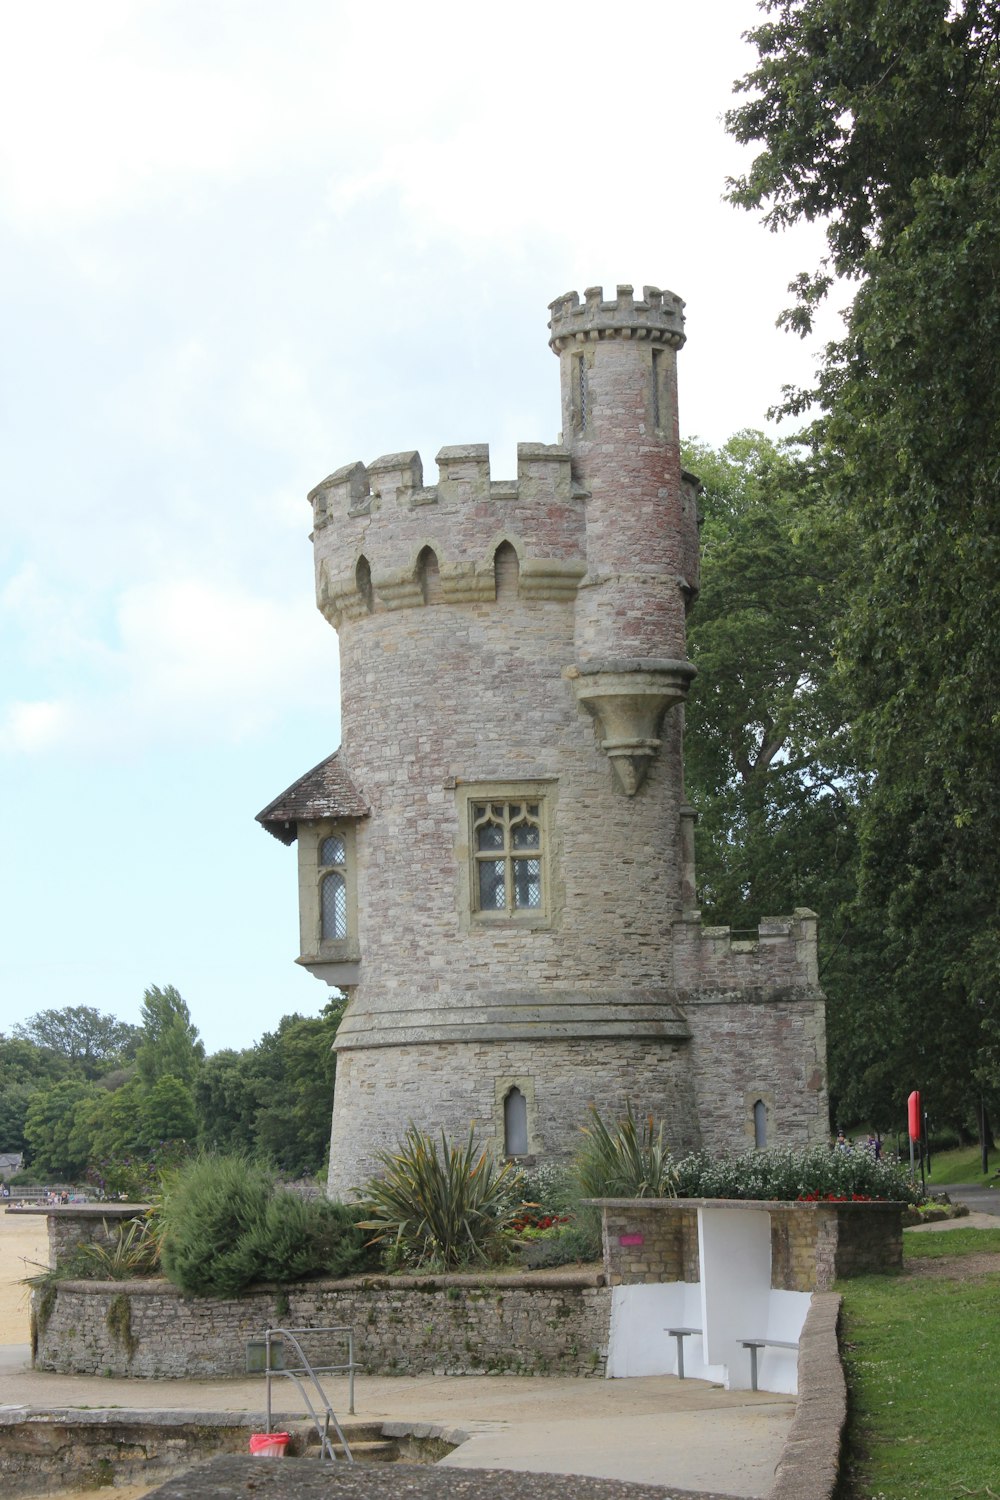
(657, 1430)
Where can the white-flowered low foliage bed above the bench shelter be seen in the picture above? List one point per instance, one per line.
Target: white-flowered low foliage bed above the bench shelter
(818, 1172)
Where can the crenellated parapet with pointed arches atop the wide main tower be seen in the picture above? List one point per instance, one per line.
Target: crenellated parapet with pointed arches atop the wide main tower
(385, 541)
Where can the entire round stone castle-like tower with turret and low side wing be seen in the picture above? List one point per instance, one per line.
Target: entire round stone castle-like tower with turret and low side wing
(497, 866)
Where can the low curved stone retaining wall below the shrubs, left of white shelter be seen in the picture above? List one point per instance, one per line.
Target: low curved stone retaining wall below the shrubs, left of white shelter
(540, 1324)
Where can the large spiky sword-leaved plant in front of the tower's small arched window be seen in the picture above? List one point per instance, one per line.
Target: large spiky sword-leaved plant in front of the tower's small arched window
(443, 1207)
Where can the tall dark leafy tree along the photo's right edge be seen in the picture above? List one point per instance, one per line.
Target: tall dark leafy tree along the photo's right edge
(882, 119)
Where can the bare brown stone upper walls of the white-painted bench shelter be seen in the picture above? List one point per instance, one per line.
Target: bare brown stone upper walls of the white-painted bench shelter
(812, 1244)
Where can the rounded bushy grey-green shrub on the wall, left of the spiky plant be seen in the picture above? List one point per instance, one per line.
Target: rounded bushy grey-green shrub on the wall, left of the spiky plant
(224, 1226)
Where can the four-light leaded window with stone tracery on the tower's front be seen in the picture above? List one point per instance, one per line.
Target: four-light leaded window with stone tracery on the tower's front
(507, 854)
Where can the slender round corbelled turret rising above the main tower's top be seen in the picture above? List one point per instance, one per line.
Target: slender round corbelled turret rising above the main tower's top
(620, 422)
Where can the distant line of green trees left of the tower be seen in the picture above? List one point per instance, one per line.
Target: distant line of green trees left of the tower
(89, 1097)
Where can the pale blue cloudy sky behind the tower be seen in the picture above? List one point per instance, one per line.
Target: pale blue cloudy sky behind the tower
(241, 247)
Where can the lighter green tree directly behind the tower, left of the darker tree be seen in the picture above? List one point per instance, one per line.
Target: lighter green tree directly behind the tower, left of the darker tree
(767, 755)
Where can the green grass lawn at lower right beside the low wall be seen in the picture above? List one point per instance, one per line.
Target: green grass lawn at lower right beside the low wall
(921, 1361)
